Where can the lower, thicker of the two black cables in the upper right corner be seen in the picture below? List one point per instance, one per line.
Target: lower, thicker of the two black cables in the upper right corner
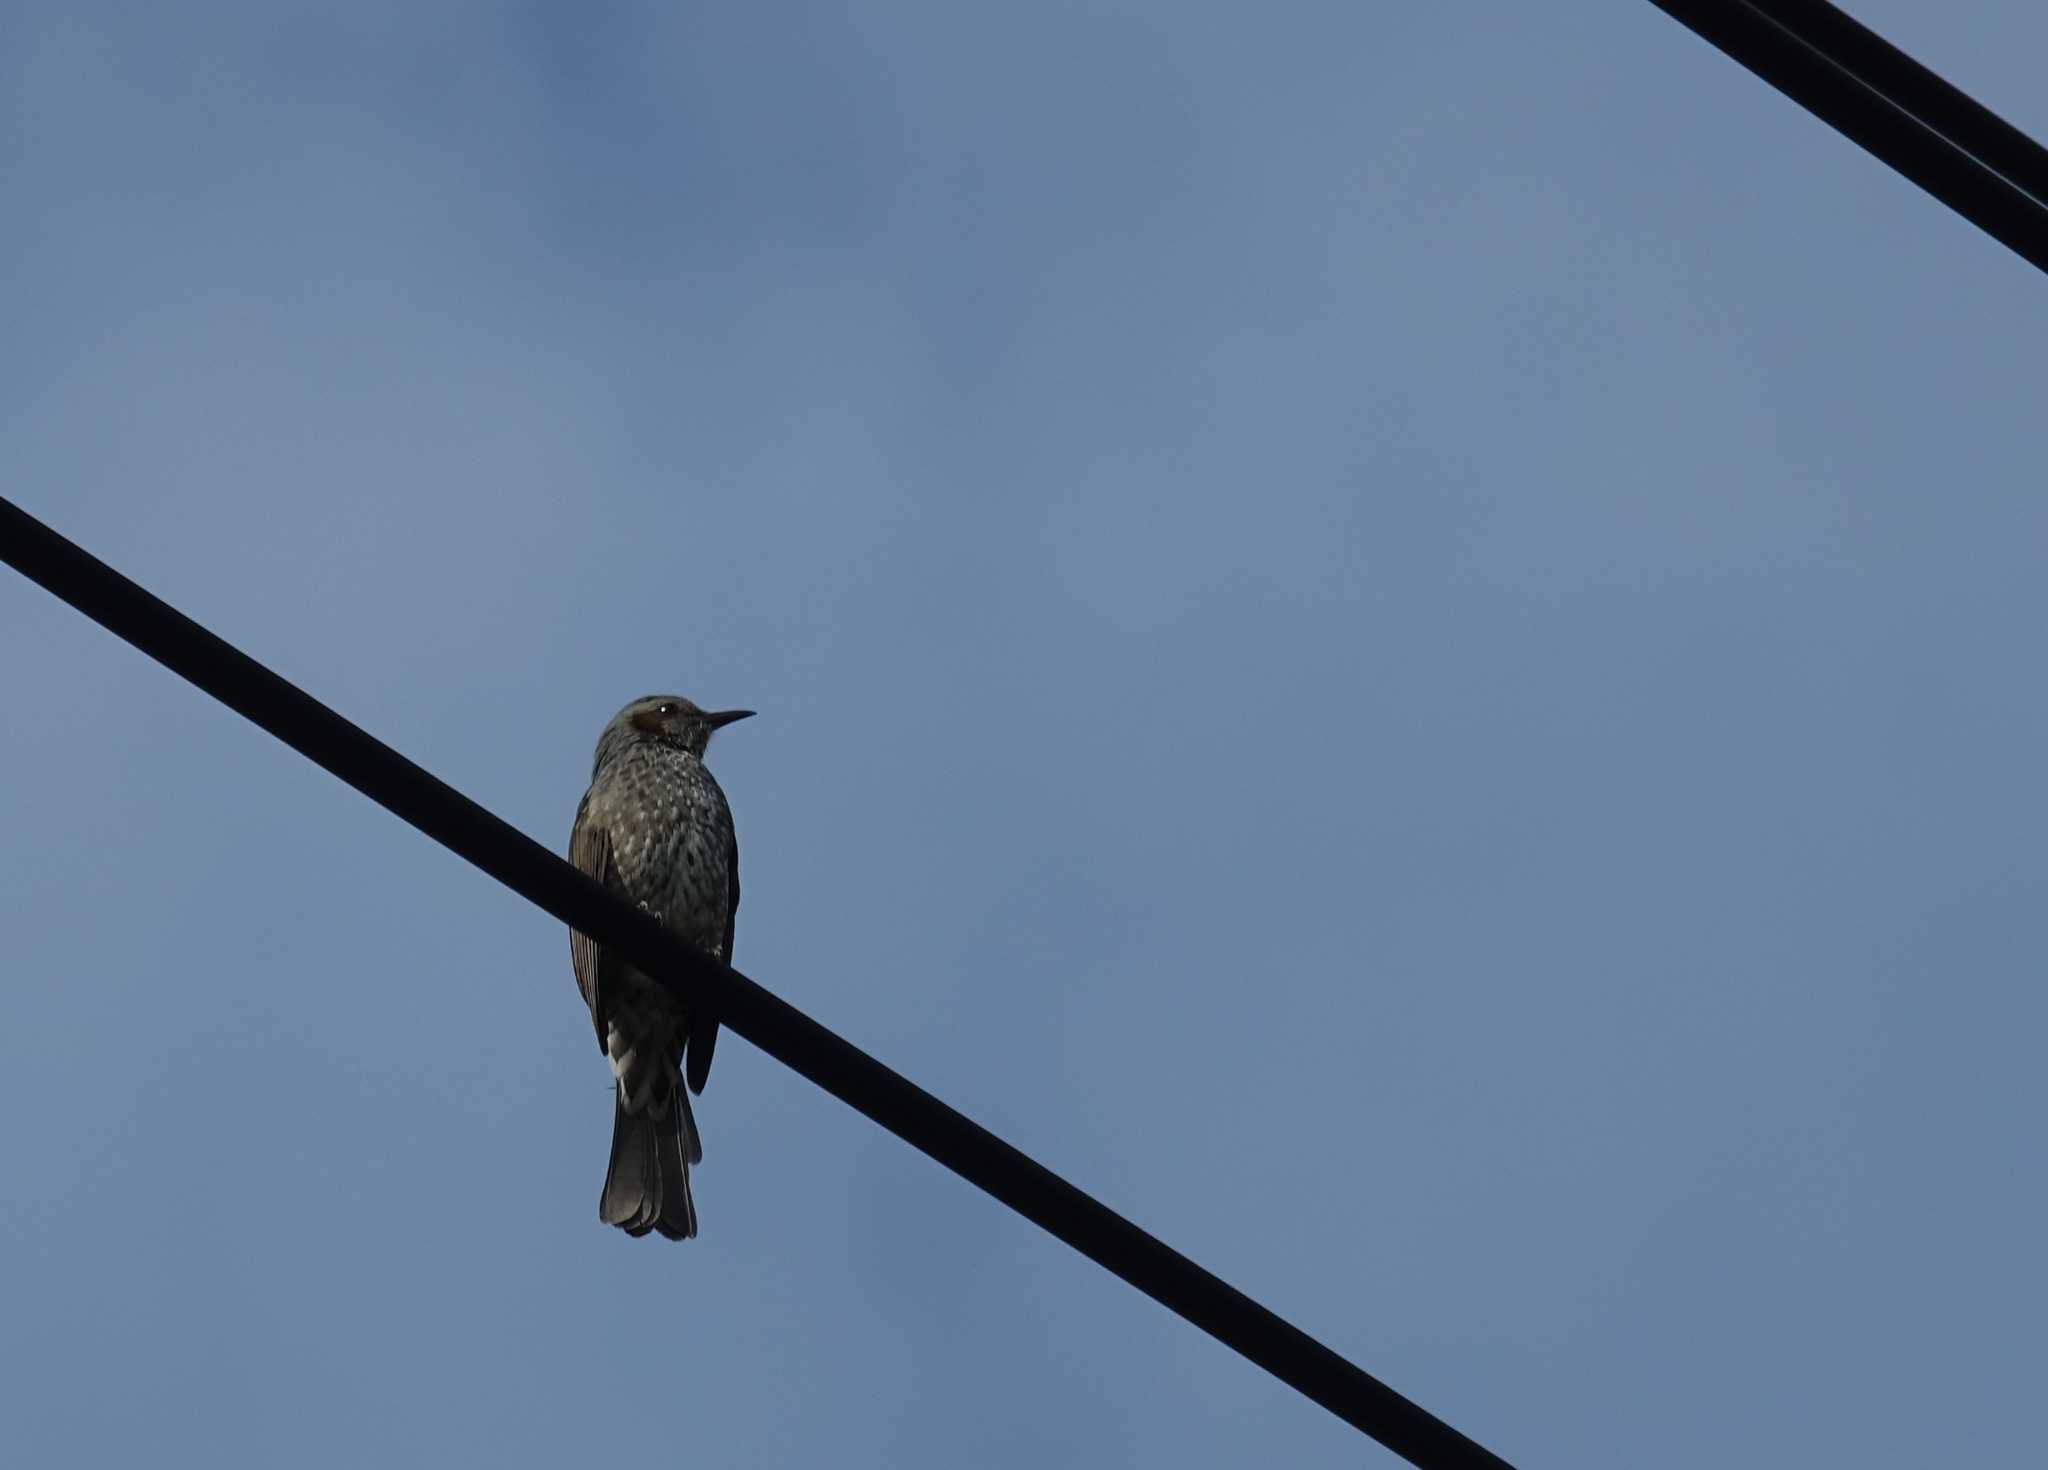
(1867, 118)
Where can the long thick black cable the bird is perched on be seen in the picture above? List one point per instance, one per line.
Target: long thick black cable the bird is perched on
(781, 1031)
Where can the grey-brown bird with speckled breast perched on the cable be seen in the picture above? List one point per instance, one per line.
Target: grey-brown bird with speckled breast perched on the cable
(654, 826)
